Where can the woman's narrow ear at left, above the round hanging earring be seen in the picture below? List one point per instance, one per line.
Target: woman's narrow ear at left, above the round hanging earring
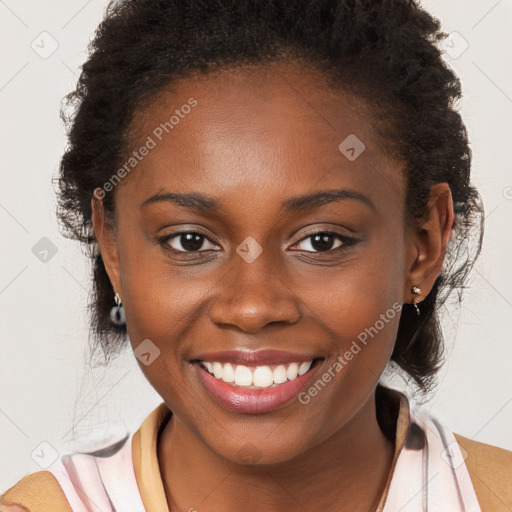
(107, 241)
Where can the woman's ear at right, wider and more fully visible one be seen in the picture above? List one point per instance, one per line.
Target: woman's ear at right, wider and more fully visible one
(429, 241)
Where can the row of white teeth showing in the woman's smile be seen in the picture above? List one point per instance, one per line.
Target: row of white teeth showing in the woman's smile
(259, 376)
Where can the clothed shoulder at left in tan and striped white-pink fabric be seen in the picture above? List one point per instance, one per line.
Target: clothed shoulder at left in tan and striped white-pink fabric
(103, 469)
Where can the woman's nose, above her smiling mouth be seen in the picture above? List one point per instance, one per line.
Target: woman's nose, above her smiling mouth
(252, 296)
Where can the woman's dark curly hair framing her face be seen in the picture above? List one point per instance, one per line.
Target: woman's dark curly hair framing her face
(385, 52)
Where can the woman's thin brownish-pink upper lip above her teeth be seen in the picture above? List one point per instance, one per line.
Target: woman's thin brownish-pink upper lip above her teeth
(261, 357)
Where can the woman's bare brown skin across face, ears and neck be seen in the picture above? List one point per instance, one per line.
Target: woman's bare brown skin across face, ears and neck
(254, 140)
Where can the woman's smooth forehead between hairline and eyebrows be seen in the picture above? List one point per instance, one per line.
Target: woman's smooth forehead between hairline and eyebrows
(270, 128)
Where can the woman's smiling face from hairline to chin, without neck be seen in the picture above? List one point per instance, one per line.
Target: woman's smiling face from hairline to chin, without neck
(255, 277)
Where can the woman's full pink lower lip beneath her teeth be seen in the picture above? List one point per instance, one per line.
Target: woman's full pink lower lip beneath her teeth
(250, 400)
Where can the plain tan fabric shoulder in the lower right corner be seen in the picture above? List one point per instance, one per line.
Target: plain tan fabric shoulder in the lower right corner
(490, 469)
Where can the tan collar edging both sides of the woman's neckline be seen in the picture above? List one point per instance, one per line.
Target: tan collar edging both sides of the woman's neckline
(147, 470)
